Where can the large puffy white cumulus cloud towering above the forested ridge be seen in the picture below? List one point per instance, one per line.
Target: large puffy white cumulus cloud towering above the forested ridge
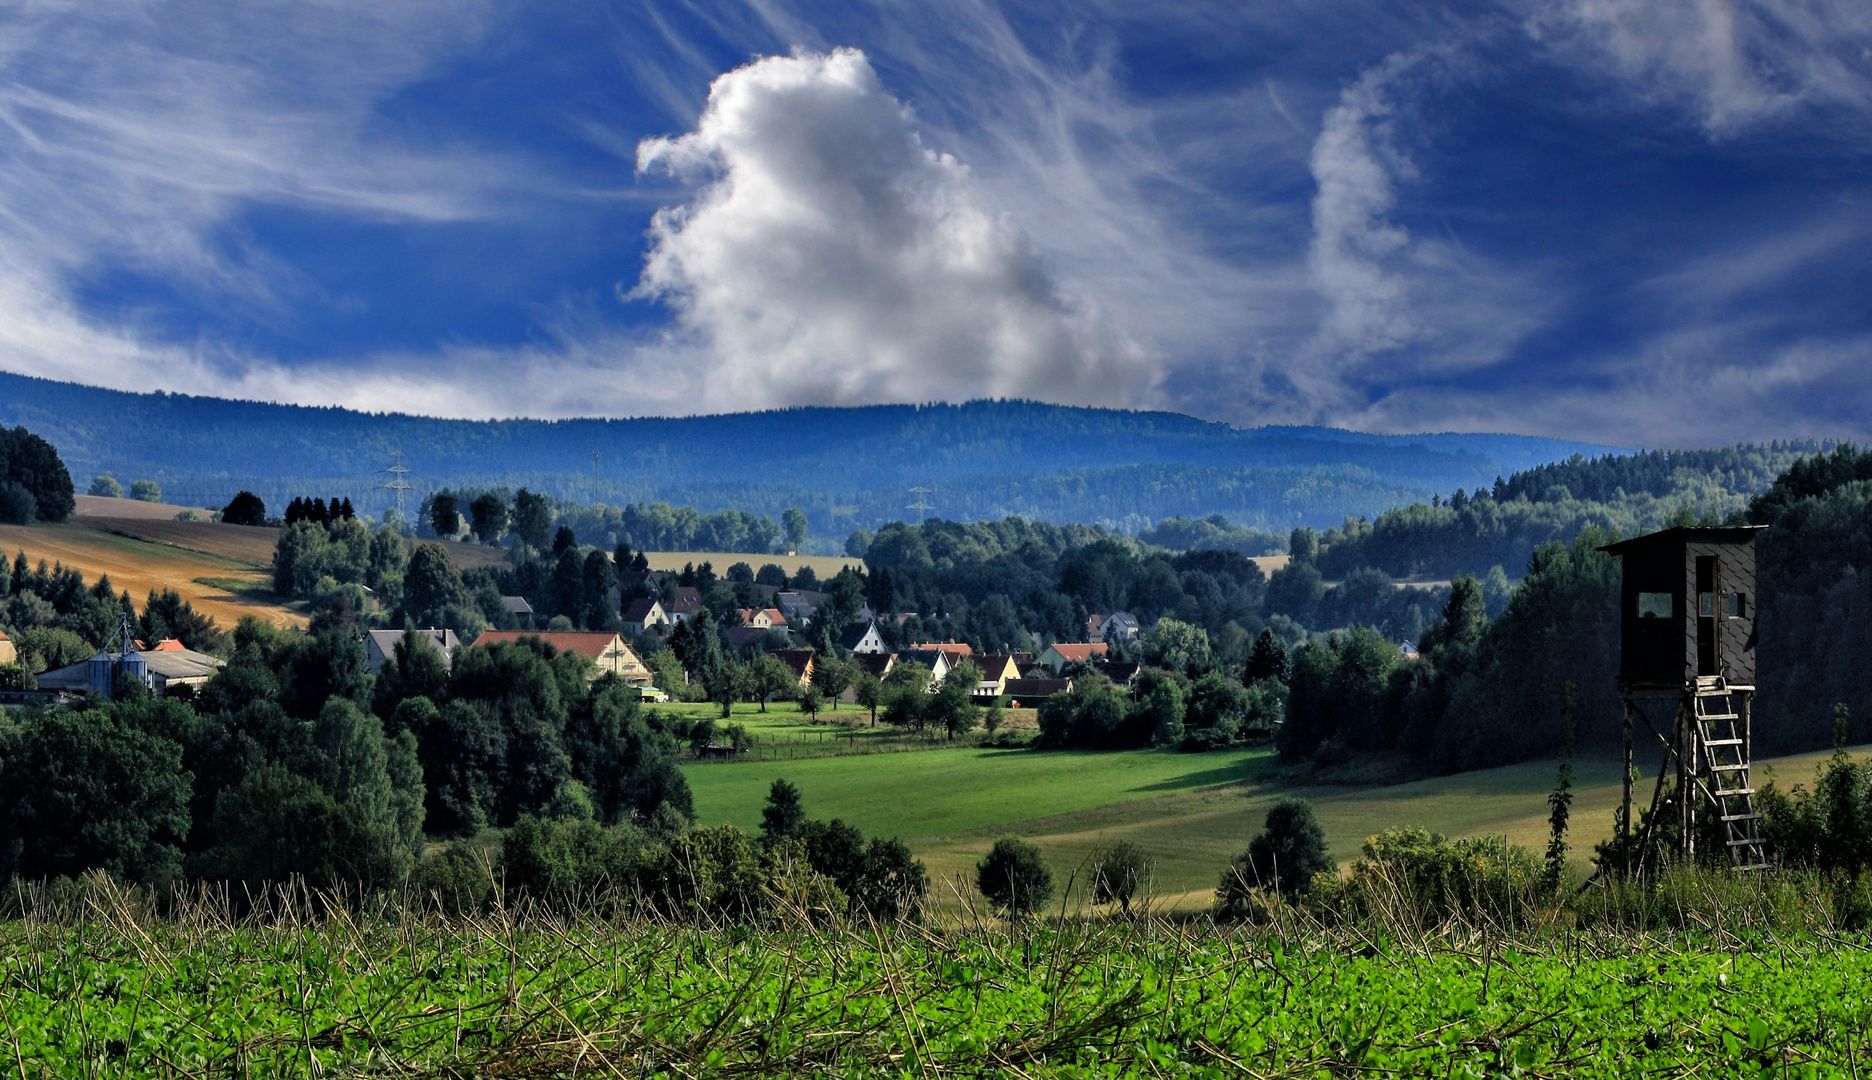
(828, 255)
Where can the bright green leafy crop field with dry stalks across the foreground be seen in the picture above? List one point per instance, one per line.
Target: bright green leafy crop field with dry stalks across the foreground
(126, 993)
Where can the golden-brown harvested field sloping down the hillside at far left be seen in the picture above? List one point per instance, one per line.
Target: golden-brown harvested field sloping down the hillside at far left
(226, 589)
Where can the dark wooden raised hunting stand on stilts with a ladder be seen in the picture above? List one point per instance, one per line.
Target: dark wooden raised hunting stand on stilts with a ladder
(1688, 645)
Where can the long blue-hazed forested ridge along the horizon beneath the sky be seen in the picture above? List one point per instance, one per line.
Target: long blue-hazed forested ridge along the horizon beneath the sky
(847, 467)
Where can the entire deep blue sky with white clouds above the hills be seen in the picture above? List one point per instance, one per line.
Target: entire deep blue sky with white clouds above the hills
(1631, 222)
